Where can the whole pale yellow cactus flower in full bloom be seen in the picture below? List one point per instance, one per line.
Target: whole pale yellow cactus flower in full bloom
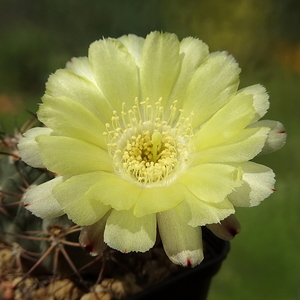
(145, 133)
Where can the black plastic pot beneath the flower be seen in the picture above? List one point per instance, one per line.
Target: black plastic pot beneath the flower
(191, 284)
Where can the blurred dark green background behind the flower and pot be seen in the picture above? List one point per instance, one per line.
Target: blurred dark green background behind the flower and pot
(39, 36)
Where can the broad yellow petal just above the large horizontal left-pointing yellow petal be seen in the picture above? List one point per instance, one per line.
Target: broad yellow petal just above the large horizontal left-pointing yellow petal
(70, 118)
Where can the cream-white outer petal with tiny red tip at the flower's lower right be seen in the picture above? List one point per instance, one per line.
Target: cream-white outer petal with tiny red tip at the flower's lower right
(258, 184)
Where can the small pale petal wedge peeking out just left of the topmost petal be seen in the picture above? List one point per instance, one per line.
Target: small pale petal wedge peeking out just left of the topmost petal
(134, 45)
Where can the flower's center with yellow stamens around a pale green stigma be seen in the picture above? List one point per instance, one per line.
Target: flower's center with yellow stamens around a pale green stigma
(147, 149)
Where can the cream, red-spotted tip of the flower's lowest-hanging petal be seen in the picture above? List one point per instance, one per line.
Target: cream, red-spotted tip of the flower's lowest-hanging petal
(188, 258)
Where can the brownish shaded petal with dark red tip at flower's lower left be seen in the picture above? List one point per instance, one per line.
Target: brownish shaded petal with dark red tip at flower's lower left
(92, 237)
